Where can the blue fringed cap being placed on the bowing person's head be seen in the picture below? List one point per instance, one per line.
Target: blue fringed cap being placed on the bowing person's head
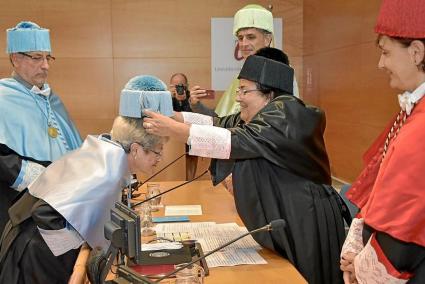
(145, 92)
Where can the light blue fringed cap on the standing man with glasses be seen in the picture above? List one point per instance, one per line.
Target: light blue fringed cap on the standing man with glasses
(27, 36)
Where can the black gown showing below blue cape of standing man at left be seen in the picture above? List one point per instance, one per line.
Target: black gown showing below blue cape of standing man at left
(10, 166)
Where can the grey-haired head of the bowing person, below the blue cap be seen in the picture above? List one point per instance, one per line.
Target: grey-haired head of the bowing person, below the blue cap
(128, 130)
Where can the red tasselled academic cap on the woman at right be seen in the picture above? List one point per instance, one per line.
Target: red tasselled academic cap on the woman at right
(402, 18)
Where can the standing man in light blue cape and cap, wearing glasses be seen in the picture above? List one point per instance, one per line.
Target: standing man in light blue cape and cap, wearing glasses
(35, 128)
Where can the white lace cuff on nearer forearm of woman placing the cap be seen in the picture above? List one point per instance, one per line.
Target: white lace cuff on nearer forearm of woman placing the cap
(209, 141)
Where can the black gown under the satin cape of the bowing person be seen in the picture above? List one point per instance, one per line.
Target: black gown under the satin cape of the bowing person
(24, 256)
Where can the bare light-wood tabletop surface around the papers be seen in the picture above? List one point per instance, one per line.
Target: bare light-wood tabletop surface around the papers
(218, 206)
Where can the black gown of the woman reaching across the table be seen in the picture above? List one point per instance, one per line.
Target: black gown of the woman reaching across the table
(281, 170)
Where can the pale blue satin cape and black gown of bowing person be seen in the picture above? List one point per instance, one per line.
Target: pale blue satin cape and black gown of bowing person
(69, 203)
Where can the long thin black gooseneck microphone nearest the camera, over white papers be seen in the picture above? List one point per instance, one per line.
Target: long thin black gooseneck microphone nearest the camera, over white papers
(273, 225)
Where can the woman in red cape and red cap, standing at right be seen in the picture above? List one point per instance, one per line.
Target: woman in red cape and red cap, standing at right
(386, 241)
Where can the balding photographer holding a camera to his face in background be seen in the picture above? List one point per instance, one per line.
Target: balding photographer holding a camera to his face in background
(180, 93)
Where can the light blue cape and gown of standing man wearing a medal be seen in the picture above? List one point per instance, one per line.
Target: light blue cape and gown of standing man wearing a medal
(26, 148)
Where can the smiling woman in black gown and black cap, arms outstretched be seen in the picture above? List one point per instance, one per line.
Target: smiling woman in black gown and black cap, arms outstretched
(275, 151)
